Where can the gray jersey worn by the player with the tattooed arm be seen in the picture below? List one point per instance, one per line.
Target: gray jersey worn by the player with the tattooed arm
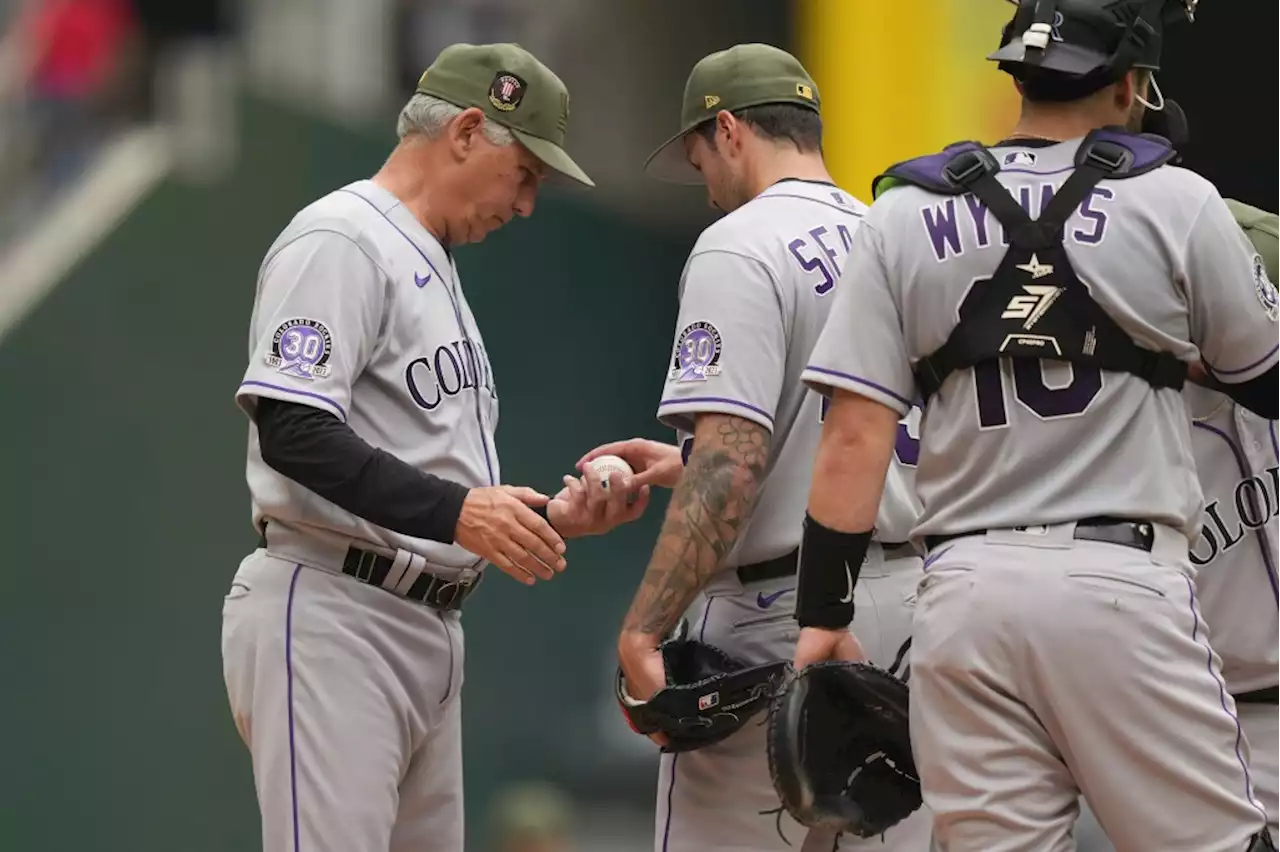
(755, 296)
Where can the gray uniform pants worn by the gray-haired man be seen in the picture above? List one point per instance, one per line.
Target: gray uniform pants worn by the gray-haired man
(348, 698)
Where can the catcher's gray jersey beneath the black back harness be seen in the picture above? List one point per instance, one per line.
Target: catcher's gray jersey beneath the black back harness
(1004, 446)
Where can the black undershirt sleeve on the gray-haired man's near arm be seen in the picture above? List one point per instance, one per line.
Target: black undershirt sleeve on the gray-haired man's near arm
(323, 455)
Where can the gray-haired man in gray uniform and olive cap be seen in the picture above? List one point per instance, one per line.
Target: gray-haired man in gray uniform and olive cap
(374, 475)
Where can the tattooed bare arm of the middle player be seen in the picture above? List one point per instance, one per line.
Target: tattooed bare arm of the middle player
(708, 511)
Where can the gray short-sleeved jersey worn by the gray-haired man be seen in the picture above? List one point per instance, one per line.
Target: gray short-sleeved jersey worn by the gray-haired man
(359, 313)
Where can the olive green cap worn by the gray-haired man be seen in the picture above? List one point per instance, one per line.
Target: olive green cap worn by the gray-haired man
(514, 90)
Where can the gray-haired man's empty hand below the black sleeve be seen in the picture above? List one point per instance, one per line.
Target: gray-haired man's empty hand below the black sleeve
(499, 525)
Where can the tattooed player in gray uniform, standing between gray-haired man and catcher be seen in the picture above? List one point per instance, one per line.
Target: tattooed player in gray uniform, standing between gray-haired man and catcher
(753, 297)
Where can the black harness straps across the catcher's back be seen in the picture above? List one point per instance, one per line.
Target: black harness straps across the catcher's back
(1036, 306)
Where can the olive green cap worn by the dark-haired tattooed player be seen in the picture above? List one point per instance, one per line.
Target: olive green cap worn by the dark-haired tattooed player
(732, 80)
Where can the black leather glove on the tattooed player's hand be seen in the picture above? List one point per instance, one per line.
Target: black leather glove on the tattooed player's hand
(708, 695)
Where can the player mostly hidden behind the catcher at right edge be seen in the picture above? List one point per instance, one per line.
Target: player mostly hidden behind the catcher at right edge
(1236, 556)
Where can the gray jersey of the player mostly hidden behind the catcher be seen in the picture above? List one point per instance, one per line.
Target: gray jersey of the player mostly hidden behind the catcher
(1238, 549)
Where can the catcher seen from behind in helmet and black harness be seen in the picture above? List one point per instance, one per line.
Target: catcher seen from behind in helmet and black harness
(1045, 299)
